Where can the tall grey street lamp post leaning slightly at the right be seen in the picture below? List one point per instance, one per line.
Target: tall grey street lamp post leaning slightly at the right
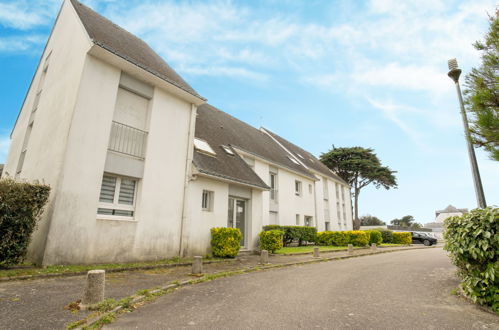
(454, 73)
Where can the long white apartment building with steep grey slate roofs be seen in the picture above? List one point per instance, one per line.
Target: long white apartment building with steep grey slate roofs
(140, 166)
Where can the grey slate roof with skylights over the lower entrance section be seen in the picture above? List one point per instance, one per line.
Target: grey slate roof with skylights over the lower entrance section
(219, 128)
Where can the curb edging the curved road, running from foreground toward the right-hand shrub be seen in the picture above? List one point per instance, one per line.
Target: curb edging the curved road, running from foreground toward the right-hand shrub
(138, 298)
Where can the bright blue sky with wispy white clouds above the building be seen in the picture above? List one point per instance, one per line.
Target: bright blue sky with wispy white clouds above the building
(318, 73)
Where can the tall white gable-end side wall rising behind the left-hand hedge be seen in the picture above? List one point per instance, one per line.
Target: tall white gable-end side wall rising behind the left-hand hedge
(47, 144)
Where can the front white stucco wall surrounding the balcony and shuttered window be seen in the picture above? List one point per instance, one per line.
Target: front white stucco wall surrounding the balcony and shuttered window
(155, 231)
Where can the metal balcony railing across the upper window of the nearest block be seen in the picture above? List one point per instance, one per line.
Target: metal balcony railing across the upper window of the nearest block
(127, 140)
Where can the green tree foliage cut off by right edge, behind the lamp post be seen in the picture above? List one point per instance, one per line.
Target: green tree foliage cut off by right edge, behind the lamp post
(482, 92)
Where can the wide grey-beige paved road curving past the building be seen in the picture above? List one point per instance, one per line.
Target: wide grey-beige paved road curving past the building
(406, 290)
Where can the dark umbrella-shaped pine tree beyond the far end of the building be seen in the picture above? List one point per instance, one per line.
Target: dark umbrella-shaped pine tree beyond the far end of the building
(359, 167)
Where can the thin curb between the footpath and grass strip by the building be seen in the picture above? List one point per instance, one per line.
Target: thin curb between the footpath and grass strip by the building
(113, 270)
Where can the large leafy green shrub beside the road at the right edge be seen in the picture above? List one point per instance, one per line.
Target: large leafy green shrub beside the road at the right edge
(473, 243)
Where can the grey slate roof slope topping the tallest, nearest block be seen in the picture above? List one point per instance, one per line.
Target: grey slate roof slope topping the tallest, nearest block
(122, 43)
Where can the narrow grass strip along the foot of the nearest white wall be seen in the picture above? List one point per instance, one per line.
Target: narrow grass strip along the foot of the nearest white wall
(23, 270)
